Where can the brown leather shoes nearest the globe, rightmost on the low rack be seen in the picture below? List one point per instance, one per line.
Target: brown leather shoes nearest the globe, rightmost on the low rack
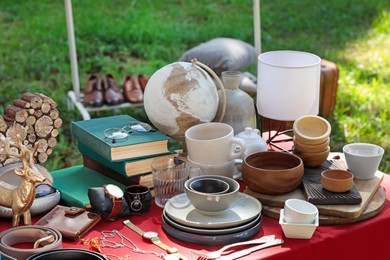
(133, 88)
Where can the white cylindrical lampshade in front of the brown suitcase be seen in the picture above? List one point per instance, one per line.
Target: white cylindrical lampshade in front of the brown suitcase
(288, 84)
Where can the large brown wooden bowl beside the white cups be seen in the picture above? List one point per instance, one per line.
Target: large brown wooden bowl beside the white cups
(272, 172)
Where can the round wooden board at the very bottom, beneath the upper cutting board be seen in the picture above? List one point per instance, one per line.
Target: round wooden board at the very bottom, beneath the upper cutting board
(373, 208)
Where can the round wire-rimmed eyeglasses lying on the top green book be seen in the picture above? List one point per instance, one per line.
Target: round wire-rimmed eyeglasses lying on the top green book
(116, 134)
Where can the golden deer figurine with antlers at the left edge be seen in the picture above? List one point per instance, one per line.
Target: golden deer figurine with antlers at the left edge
(21, 198)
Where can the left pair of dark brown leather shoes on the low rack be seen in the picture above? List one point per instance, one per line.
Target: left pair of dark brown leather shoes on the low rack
(99, 91)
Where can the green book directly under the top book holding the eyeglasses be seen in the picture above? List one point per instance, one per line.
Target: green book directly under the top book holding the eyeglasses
(128, 168)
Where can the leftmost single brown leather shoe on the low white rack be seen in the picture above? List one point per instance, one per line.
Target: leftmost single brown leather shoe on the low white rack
(93, 92)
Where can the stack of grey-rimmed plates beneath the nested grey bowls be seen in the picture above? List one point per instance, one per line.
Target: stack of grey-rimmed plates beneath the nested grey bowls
(241, 221)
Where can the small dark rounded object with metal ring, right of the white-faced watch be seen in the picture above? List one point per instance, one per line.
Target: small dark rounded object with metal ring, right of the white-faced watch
(138, 197)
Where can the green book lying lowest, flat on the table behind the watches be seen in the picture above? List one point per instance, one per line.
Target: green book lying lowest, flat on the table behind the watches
(74, 182)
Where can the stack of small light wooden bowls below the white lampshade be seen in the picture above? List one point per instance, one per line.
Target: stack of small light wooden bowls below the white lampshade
(311, 140)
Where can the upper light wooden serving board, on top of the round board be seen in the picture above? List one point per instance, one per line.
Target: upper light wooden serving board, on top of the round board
(367, 189)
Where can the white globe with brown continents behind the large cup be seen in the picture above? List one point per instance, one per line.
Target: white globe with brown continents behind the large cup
(178, 96)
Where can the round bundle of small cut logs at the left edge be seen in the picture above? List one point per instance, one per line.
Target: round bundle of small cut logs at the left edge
(35, 117)
